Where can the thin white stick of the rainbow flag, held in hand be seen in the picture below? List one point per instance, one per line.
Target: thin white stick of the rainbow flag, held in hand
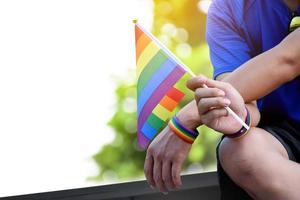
(229, 110)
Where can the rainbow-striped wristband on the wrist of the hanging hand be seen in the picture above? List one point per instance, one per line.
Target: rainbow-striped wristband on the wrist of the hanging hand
(181, 131)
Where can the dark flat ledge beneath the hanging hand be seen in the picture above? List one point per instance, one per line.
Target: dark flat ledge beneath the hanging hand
(196, 186)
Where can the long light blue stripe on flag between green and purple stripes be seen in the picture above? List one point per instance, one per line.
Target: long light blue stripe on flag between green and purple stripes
(160, 75)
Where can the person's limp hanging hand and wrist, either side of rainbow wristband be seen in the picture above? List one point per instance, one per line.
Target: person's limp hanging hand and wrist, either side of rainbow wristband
(167, 152)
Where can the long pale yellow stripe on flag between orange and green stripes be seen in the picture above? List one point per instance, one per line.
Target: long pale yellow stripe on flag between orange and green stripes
(148, 53)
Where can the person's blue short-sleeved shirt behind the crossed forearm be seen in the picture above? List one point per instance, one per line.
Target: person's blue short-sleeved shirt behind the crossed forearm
(238, 30)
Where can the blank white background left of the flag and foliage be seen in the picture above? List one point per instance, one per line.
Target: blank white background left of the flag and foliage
(57, 59)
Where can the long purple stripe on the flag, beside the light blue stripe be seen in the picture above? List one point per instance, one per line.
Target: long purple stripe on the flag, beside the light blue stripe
(159, 93)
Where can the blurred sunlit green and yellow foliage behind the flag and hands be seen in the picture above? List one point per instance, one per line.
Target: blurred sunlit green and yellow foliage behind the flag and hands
(180, 26)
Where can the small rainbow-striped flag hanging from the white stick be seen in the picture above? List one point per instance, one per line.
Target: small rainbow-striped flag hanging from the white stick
(158, 70)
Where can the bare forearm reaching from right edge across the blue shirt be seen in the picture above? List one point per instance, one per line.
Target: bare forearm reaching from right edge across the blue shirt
(264, 73)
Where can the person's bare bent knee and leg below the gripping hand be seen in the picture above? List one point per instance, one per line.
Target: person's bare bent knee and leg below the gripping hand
(260, 165)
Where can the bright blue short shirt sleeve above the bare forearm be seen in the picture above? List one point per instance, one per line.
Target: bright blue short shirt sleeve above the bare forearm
(228, 49)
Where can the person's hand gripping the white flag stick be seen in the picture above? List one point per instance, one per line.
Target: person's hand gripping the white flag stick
(211, 103)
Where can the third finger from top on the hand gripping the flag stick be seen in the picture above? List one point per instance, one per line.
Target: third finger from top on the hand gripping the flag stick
(206, 104)
